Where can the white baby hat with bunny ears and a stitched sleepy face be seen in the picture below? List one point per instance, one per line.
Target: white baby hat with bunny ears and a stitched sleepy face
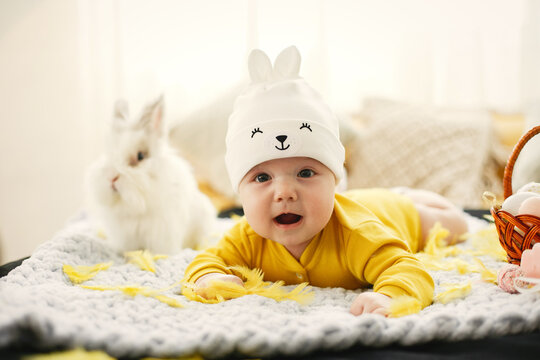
(280, 116)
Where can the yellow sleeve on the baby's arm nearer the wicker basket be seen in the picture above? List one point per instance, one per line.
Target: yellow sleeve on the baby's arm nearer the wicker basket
(386, 262)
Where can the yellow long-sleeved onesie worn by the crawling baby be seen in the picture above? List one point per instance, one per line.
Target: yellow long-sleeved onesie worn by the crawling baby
(369, 240)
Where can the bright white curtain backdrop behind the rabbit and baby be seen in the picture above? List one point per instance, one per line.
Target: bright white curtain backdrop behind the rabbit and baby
(63, 63)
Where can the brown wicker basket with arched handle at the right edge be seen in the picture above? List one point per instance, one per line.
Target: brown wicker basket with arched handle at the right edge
(513, 241)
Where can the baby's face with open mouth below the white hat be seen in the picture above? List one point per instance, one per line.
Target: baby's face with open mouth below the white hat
(288, 200)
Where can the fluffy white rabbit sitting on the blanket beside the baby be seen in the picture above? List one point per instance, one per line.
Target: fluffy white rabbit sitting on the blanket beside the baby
(143, 195)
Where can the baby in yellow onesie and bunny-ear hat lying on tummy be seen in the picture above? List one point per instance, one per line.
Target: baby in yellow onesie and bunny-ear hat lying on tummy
(284, 158)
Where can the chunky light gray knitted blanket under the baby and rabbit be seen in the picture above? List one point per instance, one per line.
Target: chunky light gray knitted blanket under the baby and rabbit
(40, 306)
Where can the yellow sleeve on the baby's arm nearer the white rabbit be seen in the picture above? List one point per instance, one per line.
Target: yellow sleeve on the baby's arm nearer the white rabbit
(233, 249)
